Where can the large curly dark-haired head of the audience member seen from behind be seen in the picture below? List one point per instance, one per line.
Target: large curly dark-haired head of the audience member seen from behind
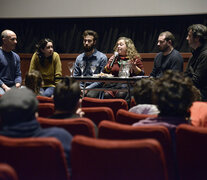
(173, 94)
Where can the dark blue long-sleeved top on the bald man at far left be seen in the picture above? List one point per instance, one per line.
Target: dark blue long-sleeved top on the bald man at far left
(10, 72)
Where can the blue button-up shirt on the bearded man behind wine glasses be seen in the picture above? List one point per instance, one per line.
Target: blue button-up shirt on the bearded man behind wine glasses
(97, 58)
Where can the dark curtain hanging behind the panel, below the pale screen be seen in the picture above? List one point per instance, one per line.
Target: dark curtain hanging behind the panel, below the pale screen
(67, 33)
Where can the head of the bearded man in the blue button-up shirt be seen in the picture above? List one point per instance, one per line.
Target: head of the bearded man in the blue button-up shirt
(89, 40)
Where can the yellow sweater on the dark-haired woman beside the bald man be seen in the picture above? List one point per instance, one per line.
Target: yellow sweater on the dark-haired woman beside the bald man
(49, 71)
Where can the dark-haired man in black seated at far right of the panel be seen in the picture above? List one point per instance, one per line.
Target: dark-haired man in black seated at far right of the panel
(197, 64)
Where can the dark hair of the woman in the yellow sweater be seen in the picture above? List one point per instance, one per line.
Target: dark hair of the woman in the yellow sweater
(41, 45)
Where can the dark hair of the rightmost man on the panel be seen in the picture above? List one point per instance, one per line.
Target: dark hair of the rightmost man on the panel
(199, 30)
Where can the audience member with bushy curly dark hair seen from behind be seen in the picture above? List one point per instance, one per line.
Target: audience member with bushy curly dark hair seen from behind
(173, 94)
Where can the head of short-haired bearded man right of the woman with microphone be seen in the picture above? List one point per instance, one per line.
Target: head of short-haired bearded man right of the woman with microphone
(165, 41)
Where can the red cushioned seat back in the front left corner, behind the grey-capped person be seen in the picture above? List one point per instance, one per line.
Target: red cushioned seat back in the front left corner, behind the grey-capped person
(35, 158)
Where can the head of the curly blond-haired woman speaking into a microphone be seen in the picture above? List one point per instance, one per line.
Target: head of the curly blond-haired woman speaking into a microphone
(125, 47)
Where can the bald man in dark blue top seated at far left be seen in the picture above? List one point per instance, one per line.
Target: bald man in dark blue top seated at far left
(10, 72)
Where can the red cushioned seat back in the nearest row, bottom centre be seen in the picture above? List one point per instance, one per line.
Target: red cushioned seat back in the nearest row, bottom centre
(97, 159)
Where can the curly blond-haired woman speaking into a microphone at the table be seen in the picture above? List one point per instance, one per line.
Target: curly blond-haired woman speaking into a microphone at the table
(126, 53)
